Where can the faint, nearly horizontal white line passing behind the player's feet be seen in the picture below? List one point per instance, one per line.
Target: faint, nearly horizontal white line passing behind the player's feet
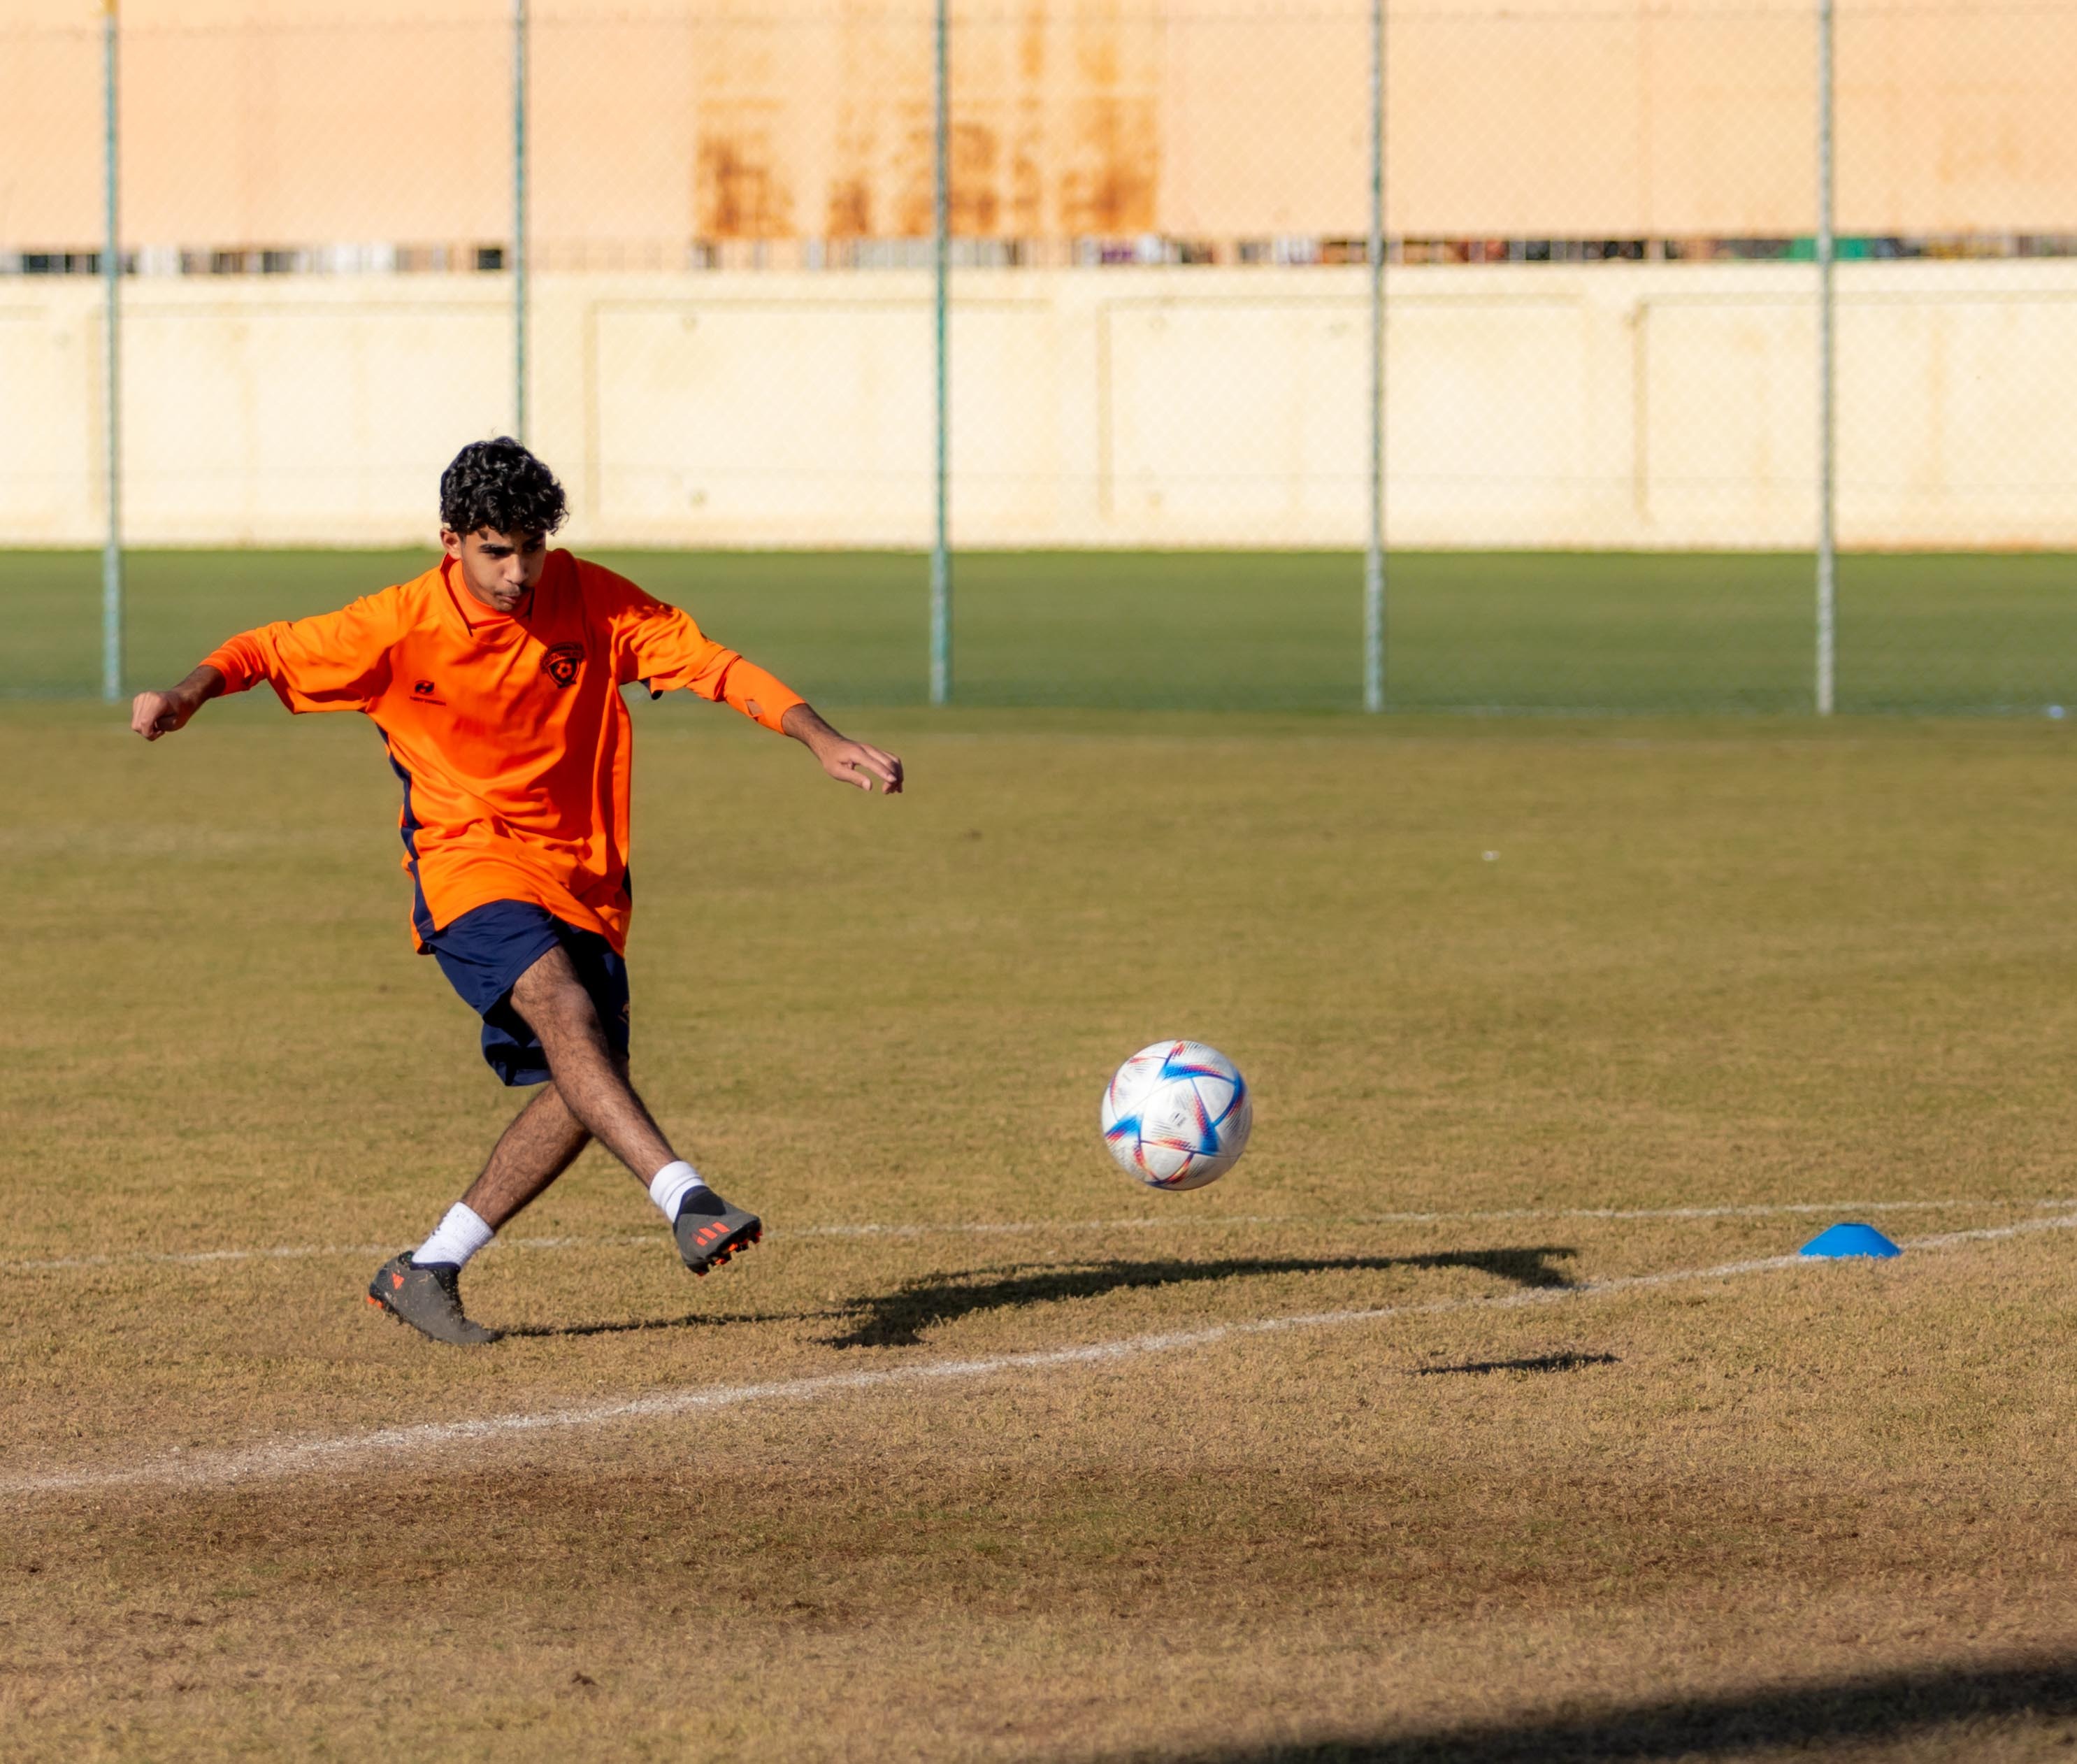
(302, 1252)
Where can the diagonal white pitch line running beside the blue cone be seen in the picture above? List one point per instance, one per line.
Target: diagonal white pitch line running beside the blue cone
(302, 1458)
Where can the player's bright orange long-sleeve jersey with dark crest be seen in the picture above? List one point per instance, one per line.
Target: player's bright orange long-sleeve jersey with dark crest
(510, 732)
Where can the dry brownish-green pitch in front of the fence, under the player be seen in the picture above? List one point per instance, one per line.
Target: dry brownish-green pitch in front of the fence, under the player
(1467, 1420)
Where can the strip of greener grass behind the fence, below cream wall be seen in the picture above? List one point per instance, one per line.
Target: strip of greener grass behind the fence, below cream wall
(1218, 631)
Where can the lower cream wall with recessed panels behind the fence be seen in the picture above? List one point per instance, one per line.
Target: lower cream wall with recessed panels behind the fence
(1536, 406)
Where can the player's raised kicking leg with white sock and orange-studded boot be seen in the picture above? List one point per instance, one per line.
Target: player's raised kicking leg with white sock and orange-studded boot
(593, 1084)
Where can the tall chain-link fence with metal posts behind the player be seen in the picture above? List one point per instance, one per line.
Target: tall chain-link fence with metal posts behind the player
(1156, 404)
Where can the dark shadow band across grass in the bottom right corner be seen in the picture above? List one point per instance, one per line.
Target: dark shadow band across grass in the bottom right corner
(1856, 1711)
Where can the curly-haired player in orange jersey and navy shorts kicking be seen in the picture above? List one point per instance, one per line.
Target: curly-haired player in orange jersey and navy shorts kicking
(497, 687)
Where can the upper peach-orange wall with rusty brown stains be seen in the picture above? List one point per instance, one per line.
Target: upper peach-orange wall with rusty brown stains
(657, 126)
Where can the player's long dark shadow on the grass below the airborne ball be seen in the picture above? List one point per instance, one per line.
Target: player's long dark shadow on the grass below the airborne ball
(896, 1320)
